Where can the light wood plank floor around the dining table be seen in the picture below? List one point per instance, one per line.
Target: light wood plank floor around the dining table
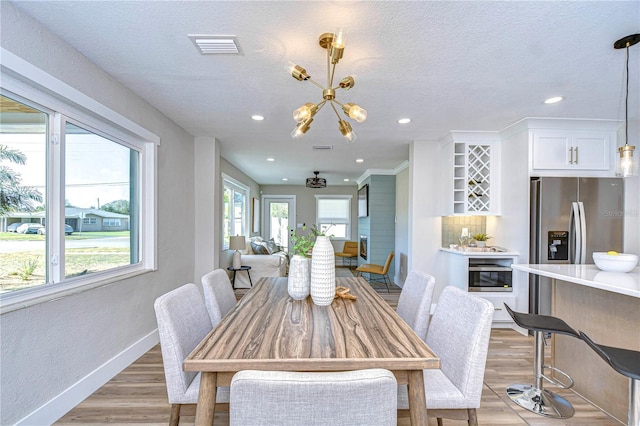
(138, 395)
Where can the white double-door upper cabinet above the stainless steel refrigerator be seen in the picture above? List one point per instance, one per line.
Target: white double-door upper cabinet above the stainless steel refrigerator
(571, 150)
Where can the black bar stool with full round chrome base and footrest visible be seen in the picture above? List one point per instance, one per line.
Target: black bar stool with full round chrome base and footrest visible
(533, 397)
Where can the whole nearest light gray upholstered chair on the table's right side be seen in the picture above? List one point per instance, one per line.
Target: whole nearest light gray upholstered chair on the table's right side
(459, 335)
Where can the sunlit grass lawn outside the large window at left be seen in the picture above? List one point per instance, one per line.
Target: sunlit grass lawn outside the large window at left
(23, 269)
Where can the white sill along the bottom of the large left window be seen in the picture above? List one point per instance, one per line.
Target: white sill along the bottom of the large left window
(17, 300)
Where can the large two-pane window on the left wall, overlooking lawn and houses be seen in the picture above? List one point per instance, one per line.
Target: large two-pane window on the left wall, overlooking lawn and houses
(74, 210)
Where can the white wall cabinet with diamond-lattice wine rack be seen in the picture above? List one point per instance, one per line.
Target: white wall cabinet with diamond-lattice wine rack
(474, 161)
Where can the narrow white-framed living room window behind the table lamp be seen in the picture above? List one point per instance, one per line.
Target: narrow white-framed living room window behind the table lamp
(235, 208)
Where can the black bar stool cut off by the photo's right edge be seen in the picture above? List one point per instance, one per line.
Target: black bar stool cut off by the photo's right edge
(627, 363)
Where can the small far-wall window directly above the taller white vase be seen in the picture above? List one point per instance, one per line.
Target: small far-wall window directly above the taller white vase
(333, 214)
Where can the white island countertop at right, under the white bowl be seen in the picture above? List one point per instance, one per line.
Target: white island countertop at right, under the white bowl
(590, 276)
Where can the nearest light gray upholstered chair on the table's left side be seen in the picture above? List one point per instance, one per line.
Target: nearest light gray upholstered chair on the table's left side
(182, 323)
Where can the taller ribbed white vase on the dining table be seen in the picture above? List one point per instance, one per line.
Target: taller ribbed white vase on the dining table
(323, 272)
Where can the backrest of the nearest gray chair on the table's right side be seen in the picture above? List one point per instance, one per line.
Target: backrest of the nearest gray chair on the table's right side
(459, 334)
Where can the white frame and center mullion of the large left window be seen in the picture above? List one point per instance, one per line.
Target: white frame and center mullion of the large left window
(29, 84)
